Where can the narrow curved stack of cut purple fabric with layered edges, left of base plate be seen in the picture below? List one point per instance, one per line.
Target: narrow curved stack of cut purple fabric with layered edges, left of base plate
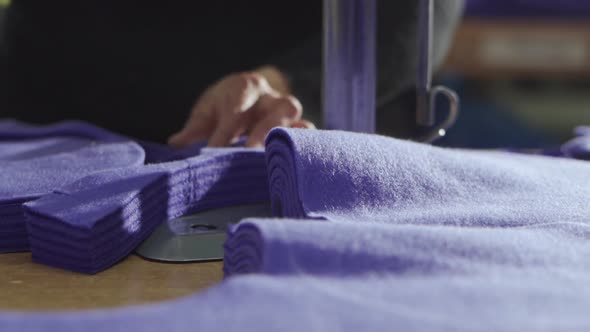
(92, 223)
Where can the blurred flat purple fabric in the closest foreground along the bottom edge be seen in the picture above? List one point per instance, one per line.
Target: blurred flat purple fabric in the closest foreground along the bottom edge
(506, 301)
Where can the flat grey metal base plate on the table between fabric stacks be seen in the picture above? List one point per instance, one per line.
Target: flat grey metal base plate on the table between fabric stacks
(197, 237)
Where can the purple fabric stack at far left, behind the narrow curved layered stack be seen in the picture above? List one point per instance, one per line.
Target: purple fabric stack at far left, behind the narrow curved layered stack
(35, 160)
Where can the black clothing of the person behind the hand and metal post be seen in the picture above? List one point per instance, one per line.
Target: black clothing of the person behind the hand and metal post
(137, 67)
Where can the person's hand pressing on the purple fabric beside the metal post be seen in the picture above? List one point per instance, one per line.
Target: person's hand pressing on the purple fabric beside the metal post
(244, 103)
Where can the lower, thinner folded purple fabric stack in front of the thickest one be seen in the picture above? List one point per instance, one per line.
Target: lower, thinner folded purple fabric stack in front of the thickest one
(337, 249)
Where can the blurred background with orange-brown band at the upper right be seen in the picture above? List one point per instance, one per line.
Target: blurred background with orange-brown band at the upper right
(522, 69)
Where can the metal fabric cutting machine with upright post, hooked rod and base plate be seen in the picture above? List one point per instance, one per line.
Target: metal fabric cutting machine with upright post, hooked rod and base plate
(349, 103)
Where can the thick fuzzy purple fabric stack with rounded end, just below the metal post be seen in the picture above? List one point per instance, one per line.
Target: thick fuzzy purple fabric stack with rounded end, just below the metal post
(356, 177)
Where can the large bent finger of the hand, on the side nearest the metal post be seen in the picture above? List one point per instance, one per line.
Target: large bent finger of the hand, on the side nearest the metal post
(279, 112)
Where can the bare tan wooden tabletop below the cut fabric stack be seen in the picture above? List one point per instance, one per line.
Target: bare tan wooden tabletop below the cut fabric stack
(25, 285)
